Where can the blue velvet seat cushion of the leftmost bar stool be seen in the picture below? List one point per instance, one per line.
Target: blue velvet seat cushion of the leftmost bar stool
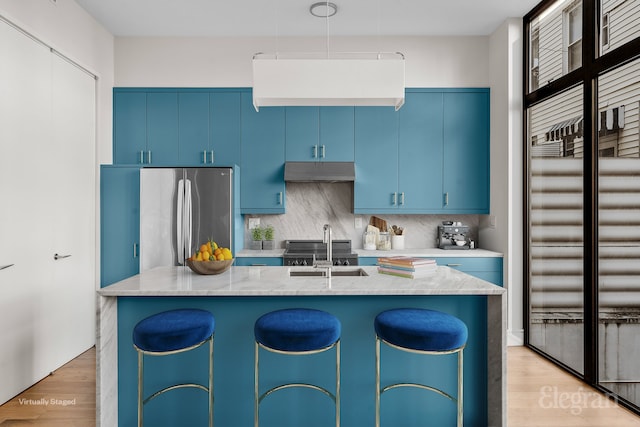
(173, 330)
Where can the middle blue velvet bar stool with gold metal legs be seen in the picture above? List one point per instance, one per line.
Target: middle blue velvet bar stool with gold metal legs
(297, 331)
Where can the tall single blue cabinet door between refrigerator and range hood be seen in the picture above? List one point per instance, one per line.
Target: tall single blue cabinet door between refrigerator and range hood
(262, 154)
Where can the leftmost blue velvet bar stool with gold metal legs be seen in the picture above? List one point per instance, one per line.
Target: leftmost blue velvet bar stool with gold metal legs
(172, 332)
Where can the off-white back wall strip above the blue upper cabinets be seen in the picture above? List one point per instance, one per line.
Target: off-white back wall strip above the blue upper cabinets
(226, 62)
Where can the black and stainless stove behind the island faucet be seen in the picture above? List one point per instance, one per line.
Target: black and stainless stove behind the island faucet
(301, 252)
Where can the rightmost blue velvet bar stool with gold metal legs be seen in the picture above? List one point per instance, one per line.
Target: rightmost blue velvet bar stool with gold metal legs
(424, 332)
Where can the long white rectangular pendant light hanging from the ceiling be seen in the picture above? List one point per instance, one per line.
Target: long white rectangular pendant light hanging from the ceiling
(344, 79)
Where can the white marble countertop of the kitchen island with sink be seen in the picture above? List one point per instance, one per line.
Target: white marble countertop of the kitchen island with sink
(276, 281)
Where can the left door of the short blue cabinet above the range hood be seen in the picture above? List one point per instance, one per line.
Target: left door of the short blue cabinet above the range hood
(302, 134)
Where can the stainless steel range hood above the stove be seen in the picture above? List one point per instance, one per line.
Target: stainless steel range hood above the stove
(319, 171)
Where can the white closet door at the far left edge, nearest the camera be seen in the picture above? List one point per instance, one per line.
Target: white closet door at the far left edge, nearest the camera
(25, 114)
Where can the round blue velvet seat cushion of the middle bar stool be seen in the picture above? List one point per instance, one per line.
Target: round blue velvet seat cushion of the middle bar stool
(297, 329)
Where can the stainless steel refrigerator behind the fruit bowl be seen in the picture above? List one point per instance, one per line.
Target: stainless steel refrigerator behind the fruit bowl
(181, 208)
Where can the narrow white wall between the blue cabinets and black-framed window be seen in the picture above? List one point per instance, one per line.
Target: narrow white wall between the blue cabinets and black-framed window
(502, 230)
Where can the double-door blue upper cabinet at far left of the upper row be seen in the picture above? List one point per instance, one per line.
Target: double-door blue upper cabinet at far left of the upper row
(145, 128)
